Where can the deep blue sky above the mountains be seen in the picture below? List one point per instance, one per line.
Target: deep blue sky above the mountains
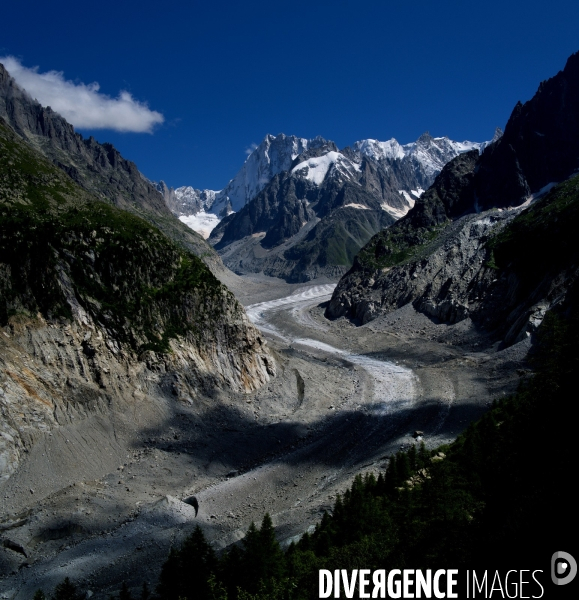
(222, 75)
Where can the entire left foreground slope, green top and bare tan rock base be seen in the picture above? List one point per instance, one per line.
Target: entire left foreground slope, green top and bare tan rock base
(100, 311)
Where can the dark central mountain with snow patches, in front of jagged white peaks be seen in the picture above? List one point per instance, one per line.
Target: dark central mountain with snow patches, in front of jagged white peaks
(312, 219)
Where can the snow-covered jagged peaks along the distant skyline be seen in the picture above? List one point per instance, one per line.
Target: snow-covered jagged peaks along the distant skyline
(394, 173)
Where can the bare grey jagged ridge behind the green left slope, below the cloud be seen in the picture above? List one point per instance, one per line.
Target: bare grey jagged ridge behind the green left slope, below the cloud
(97, 168)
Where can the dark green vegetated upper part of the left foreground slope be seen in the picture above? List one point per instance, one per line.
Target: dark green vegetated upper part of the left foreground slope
(61, 247)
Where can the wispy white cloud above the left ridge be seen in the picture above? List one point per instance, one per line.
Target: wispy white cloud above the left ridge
(82, 104)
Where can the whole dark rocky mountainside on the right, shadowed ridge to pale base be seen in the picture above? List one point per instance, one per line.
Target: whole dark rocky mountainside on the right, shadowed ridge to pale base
(443, 255)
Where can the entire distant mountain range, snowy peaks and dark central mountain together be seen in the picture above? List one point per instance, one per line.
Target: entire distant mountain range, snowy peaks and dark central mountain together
(301, 209)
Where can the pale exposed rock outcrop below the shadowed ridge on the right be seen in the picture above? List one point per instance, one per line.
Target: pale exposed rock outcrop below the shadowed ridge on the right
(502, 269)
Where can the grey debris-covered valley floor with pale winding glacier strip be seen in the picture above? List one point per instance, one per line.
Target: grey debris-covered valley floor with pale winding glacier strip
(102, 499)
